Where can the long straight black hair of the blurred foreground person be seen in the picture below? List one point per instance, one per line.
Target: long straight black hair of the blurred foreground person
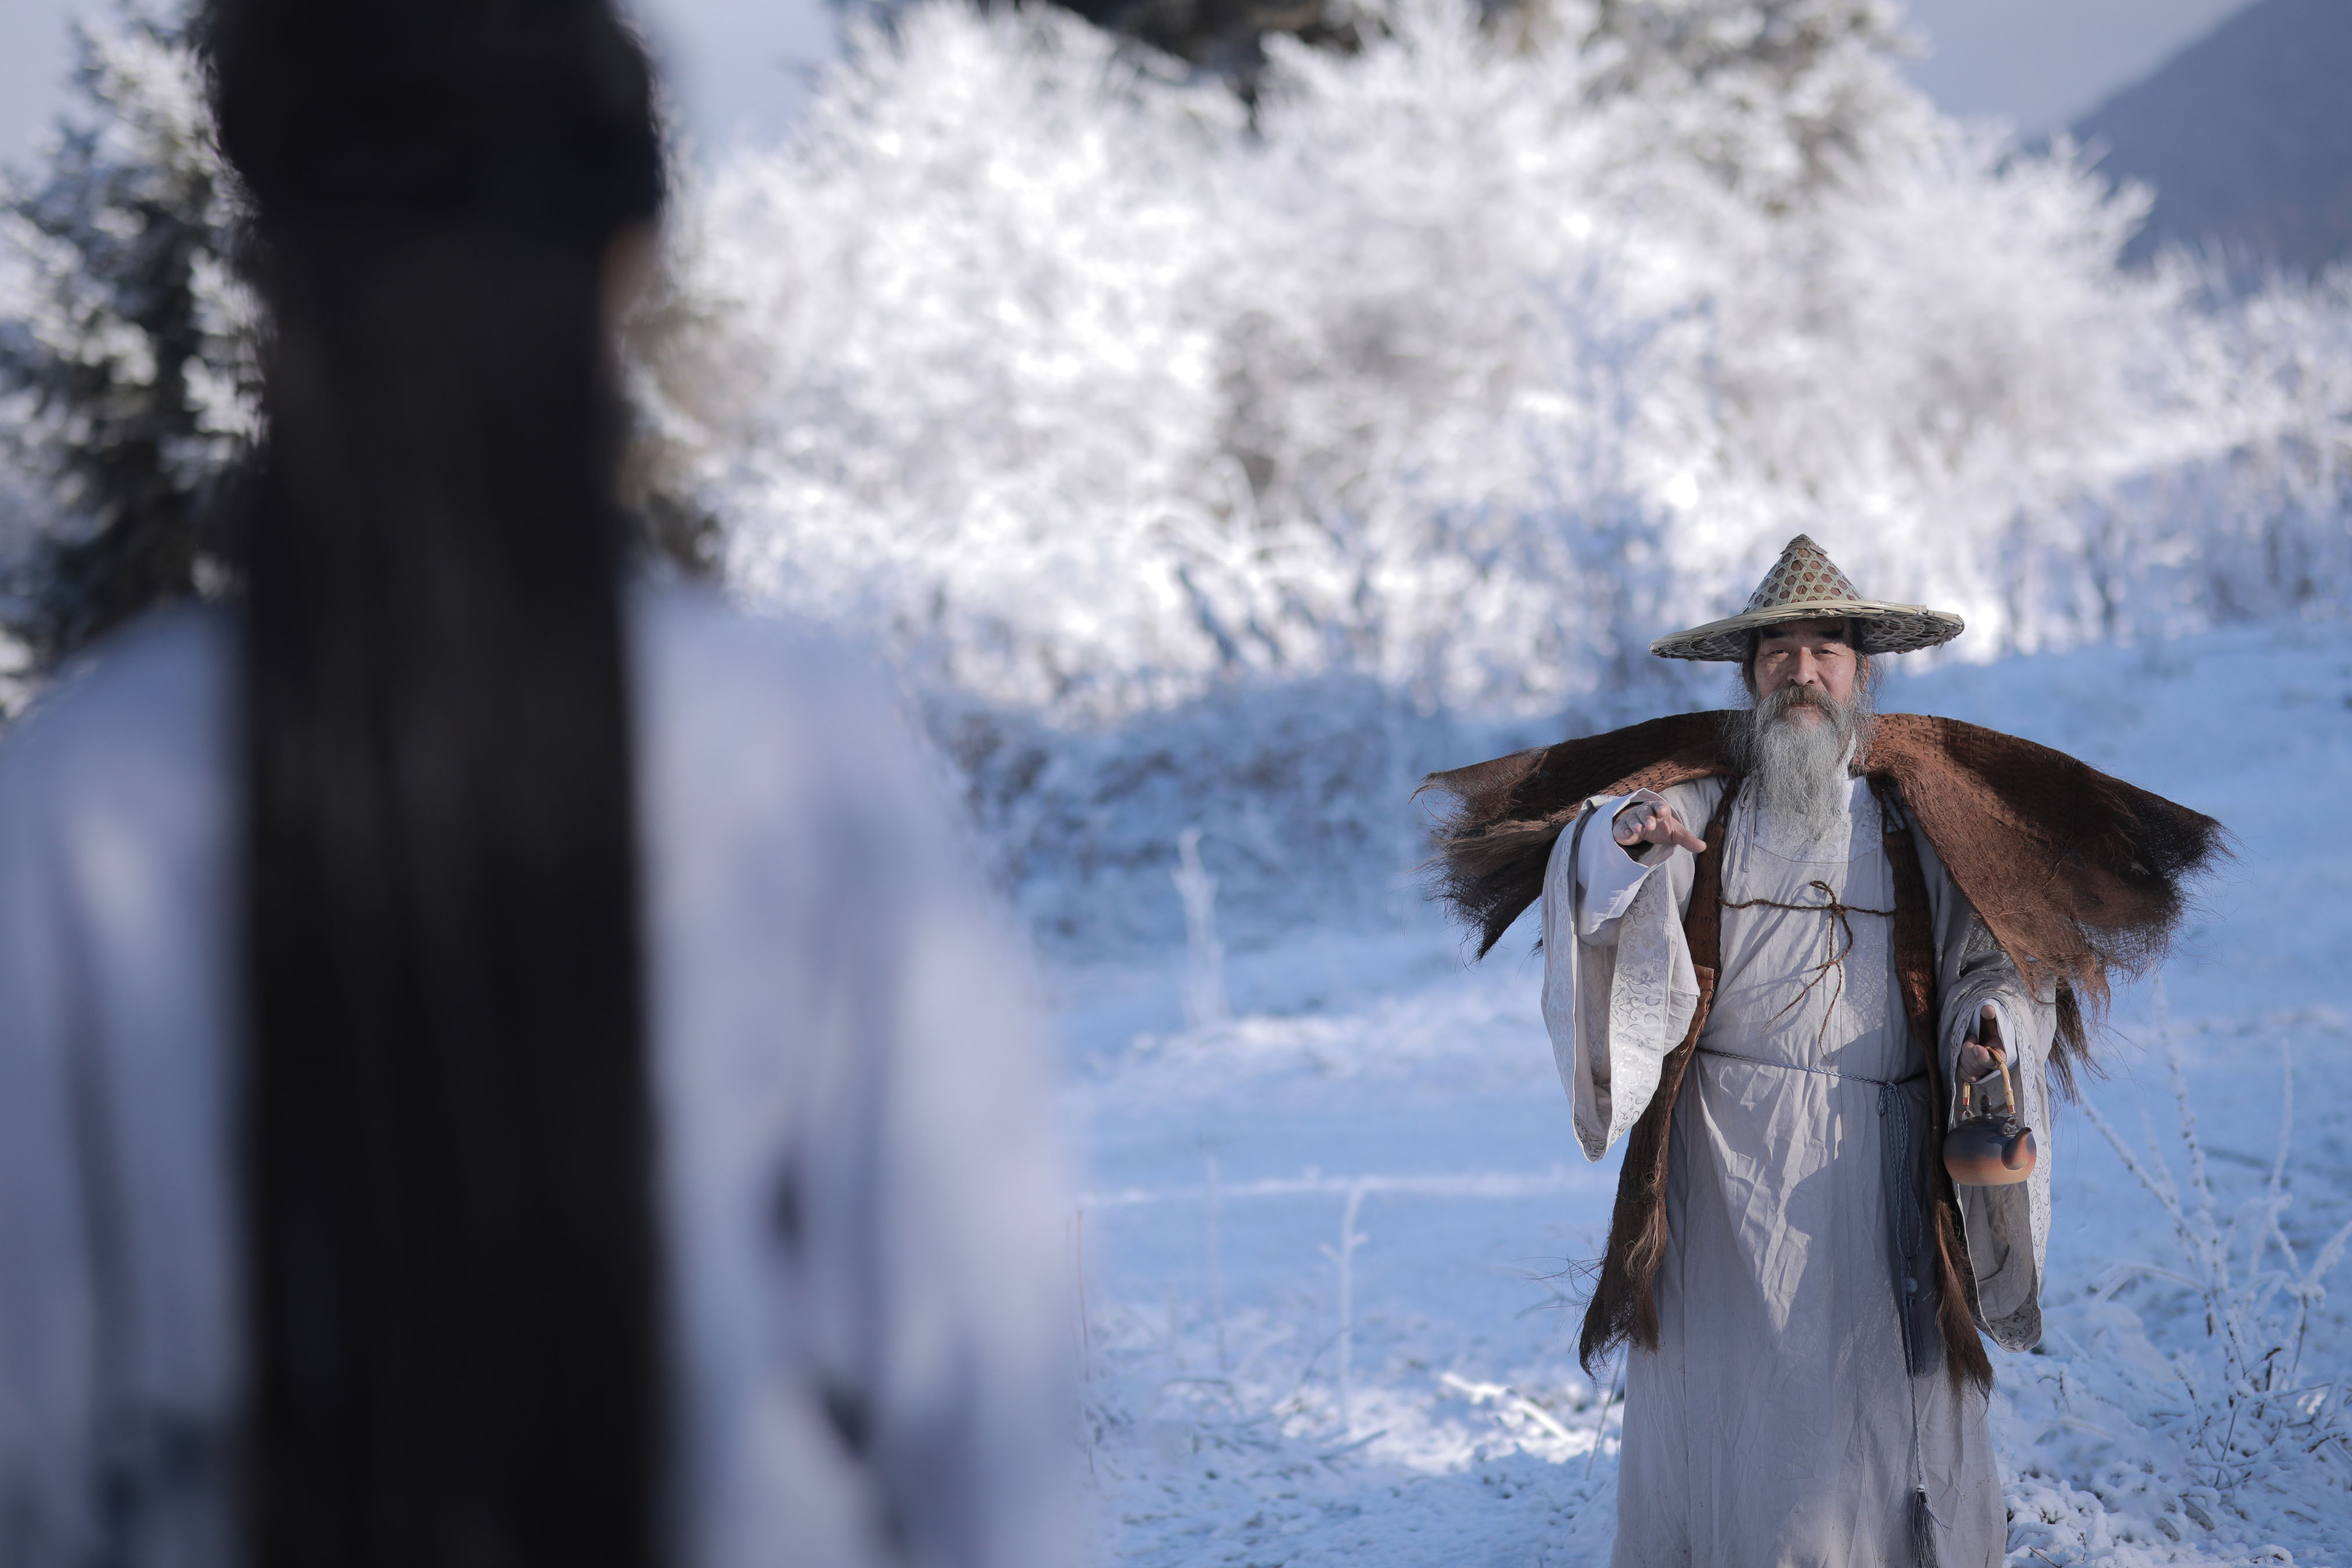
(453, 1271)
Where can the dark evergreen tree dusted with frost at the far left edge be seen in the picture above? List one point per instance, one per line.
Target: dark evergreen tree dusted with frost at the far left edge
(128, 354)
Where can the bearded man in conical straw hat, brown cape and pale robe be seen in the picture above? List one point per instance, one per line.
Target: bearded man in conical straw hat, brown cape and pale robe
(1819, 965)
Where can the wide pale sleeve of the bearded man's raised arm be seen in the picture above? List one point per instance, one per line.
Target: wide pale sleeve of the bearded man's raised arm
(1622, 993)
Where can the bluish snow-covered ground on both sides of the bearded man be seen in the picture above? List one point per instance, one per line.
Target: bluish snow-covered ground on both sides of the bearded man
(1332, 1245)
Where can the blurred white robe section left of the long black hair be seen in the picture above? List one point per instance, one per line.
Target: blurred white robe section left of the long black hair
(119, 1287)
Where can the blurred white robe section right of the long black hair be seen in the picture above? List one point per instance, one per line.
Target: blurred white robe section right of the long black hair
(876, 1343)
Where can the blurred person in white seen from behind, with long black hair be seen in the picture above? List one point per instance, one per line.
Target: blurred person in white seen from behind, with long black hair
(497, 1071)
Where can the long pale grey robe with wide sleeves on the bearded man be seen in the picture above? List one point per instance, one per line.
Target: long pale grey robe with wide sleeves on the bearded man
(1784, 1419)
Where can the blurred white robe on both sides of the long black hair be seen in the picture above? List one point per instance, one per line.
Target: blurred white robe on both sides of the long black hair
(831, 1012)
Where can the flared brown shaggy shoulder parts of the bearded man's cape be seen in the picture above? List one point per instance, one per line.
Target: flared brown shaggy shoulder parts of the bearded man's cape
(2073, 871)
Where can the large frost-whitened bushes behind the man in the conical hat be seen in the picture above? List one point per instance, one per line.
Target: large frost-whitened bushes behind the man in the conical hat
(1452, 373)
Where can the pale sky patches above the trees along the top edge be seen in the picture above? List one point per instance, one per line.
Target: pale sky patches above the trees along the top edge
(740, 65)
